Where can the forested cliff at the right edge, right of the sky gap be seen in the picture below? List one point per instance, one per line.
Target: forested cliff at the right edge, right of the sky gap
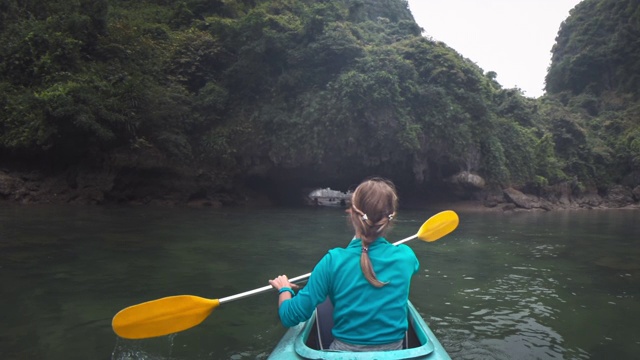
(595, 77)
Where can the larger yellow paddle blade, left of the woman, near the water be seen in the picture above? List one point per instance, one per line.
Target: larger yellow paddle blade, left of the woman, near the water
(162, 317)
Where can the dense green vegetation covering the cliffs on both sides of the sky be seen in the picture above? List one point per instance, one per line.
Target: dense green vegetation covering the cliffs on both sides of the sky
(323, 92)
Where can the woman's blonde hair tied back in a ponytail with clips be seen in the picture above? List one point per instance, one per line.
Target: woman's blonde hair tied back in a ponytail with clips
(373, 206)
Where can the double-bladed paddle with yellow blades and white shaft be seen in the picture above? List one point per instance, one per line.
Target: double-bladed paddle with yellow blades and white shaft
(177, 313)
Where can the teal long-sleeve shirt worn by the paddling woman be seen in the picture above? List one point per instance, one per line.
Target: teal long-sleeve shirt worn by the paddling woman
(363, 314)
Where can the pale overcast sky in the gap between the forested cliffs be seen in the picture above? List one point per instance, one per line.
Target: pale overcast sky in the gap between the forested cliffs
(511, 37)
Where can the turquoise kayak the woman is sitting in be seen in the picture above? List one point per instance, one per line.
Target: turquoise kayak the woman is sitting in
(309, 340)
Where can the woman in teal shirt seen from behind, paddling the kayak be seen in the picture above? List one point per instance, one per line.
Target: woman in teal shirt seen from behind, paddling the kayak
(367, 282)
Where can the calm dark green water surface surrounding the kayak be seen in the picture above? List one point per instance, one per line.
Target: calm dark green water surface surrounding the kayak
(558, 285)
